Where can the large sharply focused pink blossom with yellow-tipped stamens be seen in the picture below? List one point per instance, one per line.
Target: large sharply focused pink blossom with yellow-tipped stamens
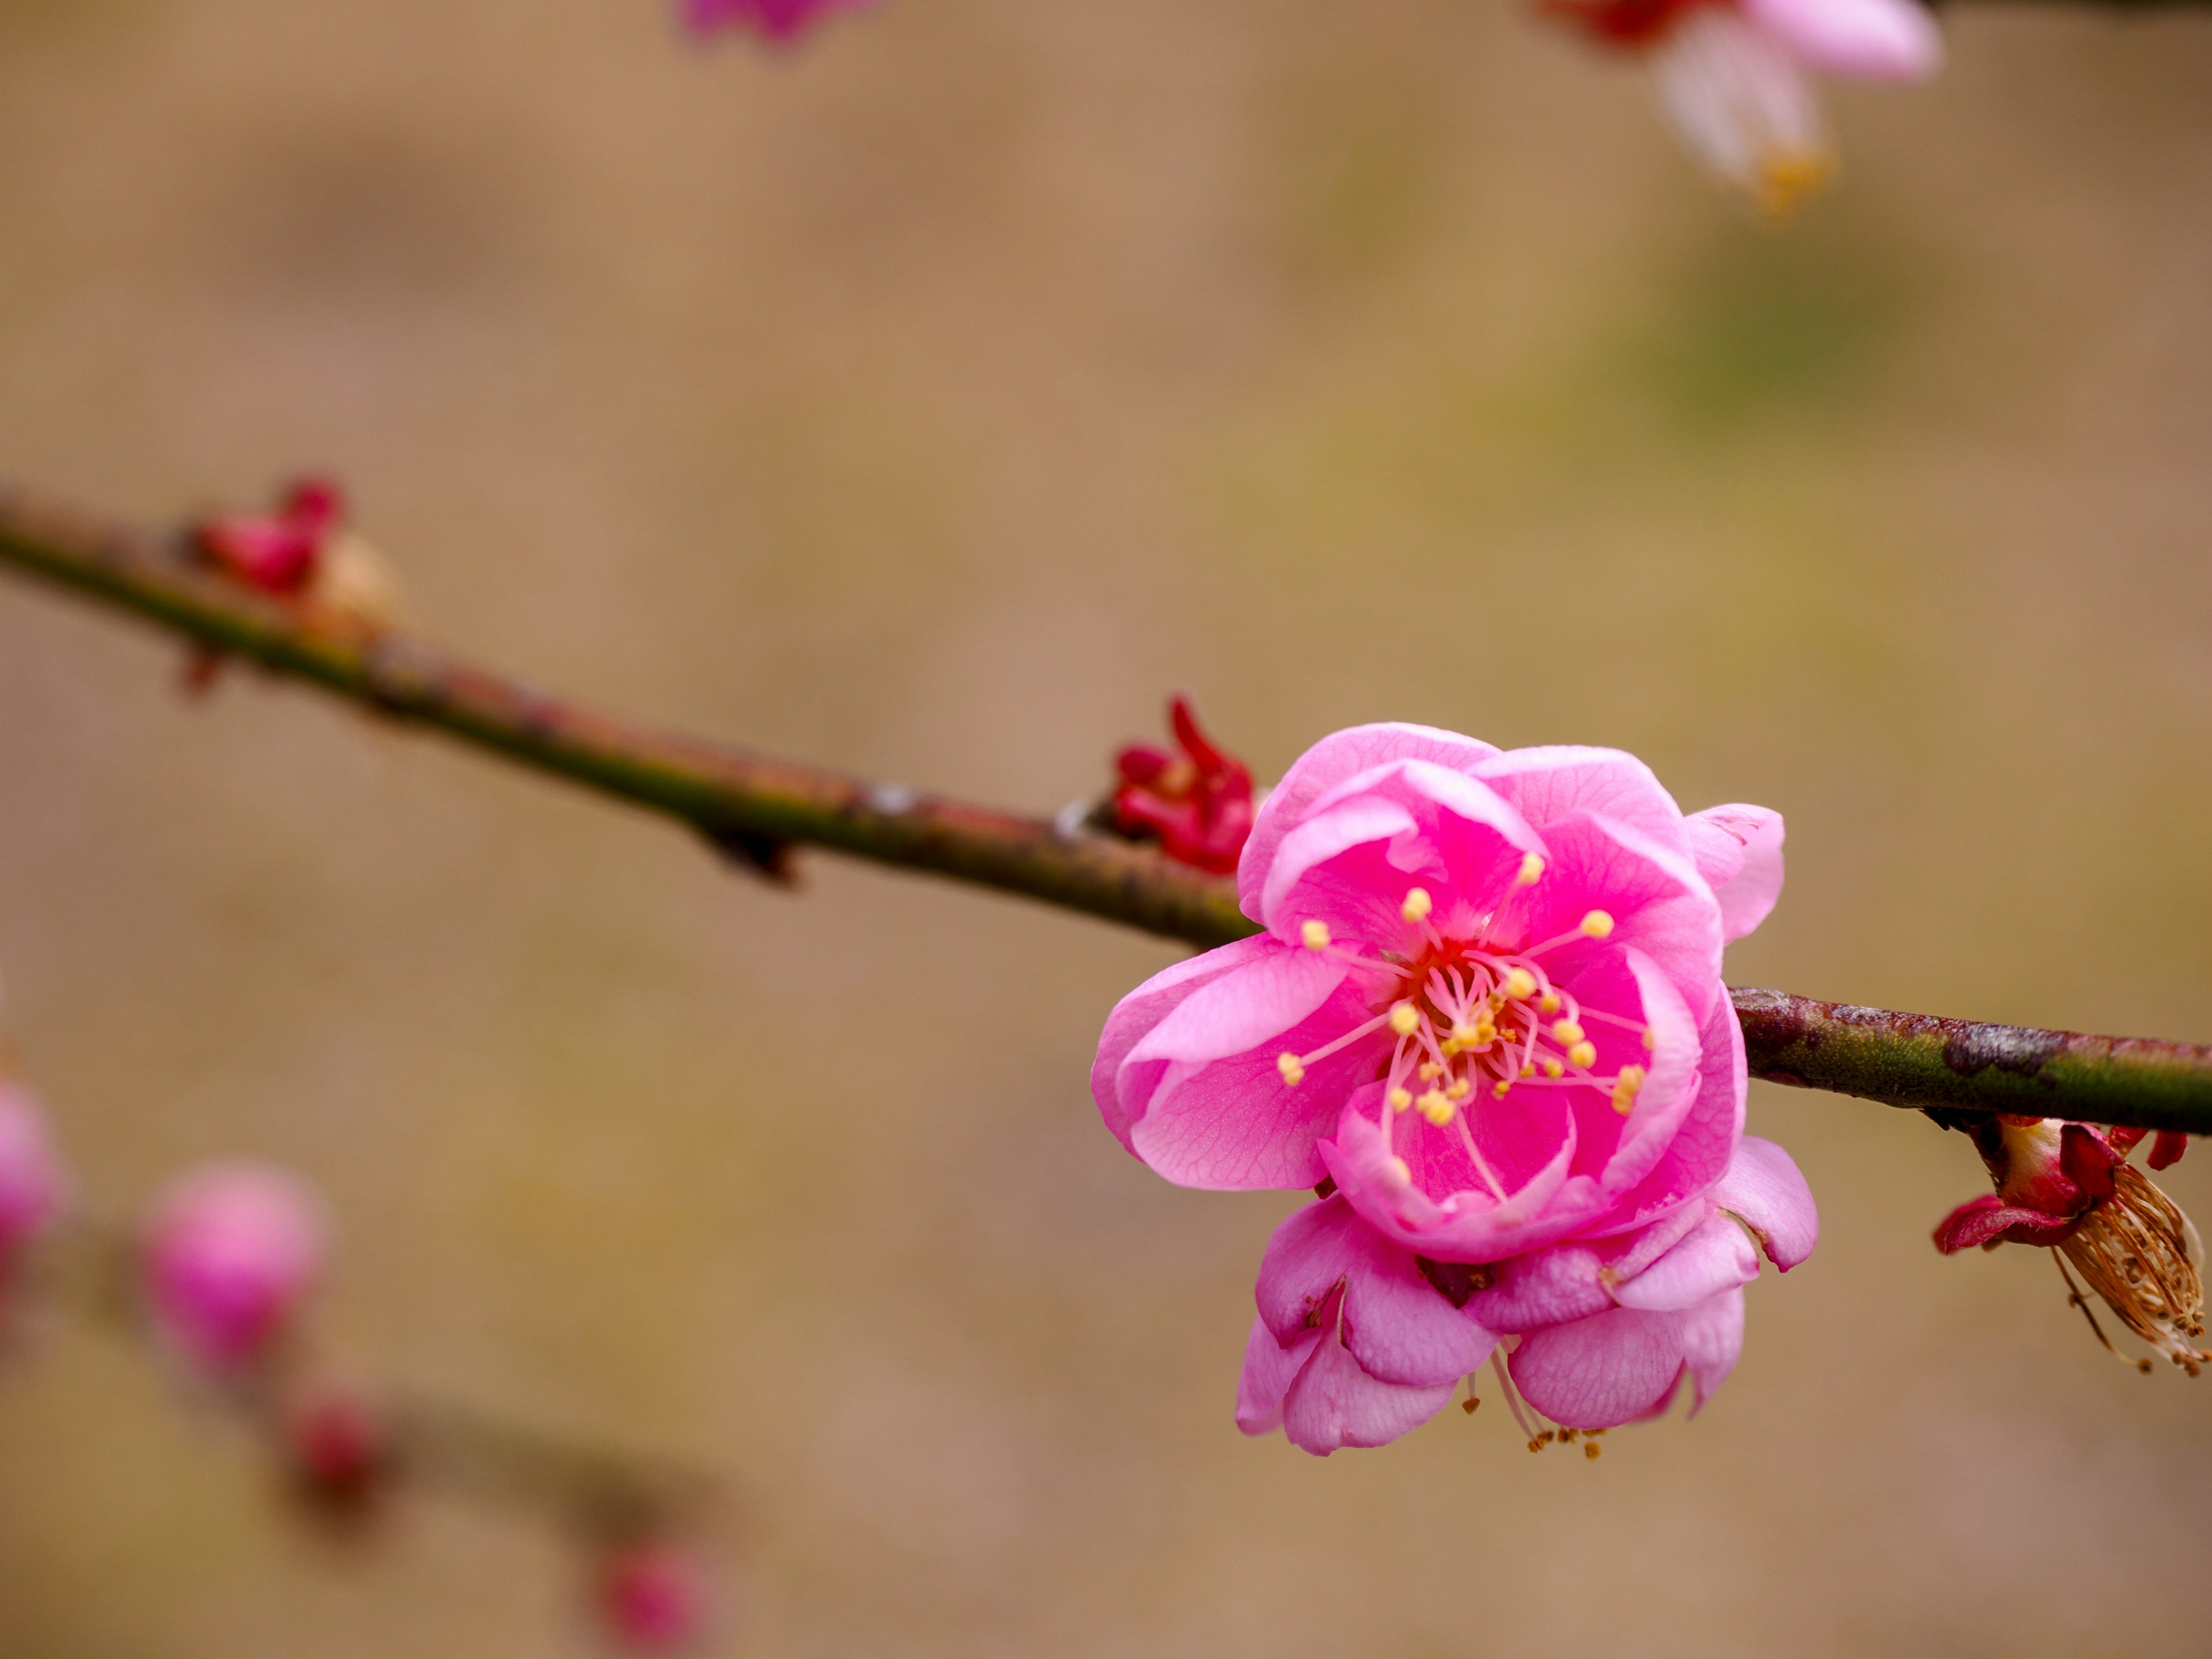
(1488, 1012)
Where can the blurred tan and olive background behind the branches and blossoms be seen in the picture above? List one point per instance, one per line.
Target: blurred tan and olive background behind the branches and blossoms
(930, 404)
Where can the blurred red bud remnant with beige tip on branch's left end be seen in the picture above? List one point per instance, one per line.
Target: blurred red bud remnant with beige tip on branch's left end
(304, 556)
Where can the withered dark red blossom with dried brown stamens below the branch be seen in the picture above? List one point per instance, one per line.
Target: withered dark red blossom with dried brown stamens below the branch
(2069, 1187)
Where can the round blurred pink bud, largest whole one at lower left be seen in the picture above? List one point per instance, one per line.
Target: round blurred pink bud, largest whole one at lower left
(231, 1249)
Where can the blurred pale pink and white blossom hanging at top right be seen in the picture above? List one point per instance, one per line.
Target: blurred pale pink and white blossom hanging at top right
(1735, 76)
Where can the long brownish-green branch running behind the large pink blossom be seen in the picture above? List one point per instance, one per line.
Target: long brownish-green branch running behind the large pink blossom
(753, 808)
